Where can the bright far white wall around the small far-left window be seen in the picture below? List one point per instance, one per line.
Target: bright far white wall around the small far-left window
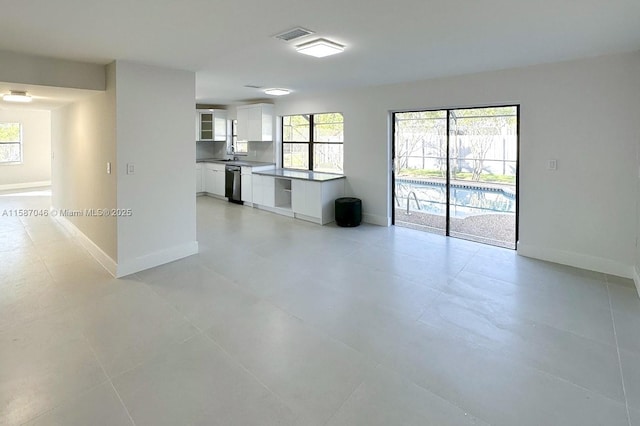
(36, 148)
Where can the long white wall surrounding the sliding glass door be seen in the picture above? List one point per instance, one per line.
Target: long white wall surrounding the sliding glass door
(582, 113)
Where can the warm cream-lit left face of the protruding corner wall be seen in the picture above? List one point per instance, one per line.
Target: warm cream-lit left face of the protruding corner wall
(83, 141)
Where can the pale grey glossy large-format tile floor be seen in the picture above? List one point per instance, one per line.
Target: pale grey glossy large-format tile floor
(281, 322)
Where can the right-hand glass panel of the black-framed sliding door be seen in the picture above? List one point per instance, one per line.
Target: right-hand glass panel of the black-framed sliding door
(482, 175)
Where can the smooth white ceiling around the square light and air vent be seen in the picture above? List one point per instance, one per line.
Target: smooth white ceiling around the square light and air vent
(229, 43)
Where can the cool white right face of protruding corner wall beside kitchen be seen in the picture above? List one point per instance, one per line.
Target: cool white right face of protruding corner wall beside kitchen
(155, 116)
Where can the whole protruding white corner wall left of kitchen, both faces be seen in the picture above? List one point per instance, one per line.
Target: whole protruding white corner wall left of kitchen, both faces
(144, 118)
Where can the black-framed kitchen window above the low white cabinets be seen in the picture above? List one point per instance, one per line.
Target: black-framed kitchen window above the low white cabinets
(313, 142)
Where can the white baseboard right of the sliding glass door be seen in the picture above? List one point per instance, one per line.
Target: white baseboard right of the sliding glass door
(578, 260)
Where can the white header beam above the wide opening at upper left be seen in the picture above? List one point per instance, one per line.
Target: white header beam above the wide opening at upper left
(29, 69)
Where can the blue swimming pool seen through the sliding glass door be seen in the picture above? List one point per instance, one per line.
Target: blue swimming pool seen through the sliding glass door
(467, 198)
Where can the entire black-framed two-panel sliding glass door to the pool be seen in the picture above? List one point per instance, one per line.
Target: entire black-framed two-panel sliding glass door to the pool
(455, 172)
